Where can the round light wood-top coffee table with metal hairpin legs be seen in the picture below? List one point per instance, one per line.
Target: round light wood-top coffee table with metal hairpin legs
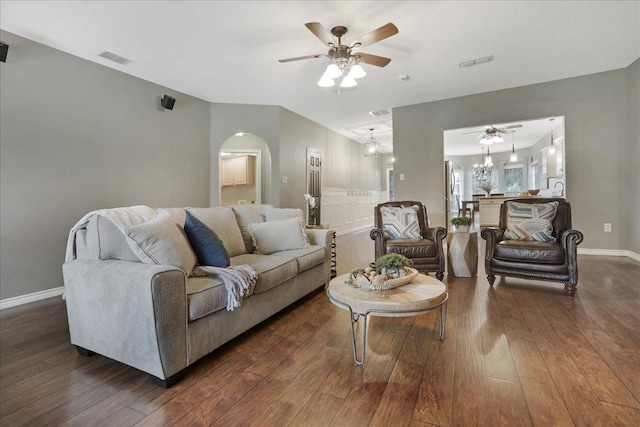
(424, 293)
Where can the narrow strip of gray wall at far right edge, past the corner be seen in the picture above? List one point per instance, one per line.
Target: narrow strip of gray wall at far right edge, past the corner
(633, 198)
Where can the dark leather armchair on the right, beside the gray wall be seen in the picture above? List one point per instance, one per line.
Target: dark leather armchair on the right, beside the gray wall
(549, 261)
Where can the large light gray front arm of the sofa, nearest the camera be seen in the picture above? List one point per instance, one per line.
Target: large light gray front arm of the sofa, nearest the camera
(132, 312)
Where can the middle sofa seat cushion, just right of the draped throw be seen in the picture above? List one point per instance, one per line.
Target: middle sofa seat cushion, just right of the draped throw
(272, 270)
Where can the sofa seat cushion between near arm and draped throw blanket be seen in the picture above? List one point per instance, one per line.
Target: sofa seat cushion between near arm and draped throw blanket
(205, 295)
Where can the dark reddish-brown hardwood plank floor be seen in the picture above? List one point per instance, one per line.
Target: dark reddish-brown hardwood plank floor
(521, 353)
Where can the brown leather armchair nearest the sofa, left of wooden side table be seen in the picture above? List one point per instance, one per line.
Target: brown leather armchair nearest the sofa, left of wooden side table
(427, 253)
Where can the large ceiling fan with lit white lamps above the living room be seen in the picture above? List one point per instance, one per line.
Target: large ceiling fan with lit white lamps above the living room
(345, 60)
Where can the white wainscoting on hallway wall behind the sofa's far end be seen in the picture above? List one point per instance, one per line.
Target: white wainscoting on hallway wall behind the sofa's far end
(347, 210)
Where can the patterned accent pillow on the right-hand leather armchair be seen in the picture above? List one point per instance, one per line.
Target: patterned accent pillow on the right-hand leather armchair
(530, 221)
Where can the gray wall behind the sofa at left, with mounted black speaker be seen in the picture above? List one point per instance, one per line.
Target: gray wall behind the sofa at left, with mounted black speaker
(77, 136)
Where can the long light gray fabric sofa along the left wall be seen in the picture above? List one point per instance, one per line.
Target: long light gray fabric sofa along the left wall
(159, 319)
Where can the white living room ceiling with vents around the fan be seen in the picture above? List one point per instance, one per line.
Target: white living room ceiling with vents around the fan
(228, 51)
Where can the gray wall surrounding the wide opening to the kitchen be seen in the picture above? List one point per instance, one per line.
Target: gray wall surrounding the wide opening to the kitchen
(598, 169)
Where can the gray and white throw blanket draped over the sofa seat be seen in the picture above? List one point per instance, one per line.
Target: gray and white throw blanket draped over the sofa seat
(240, 281)
